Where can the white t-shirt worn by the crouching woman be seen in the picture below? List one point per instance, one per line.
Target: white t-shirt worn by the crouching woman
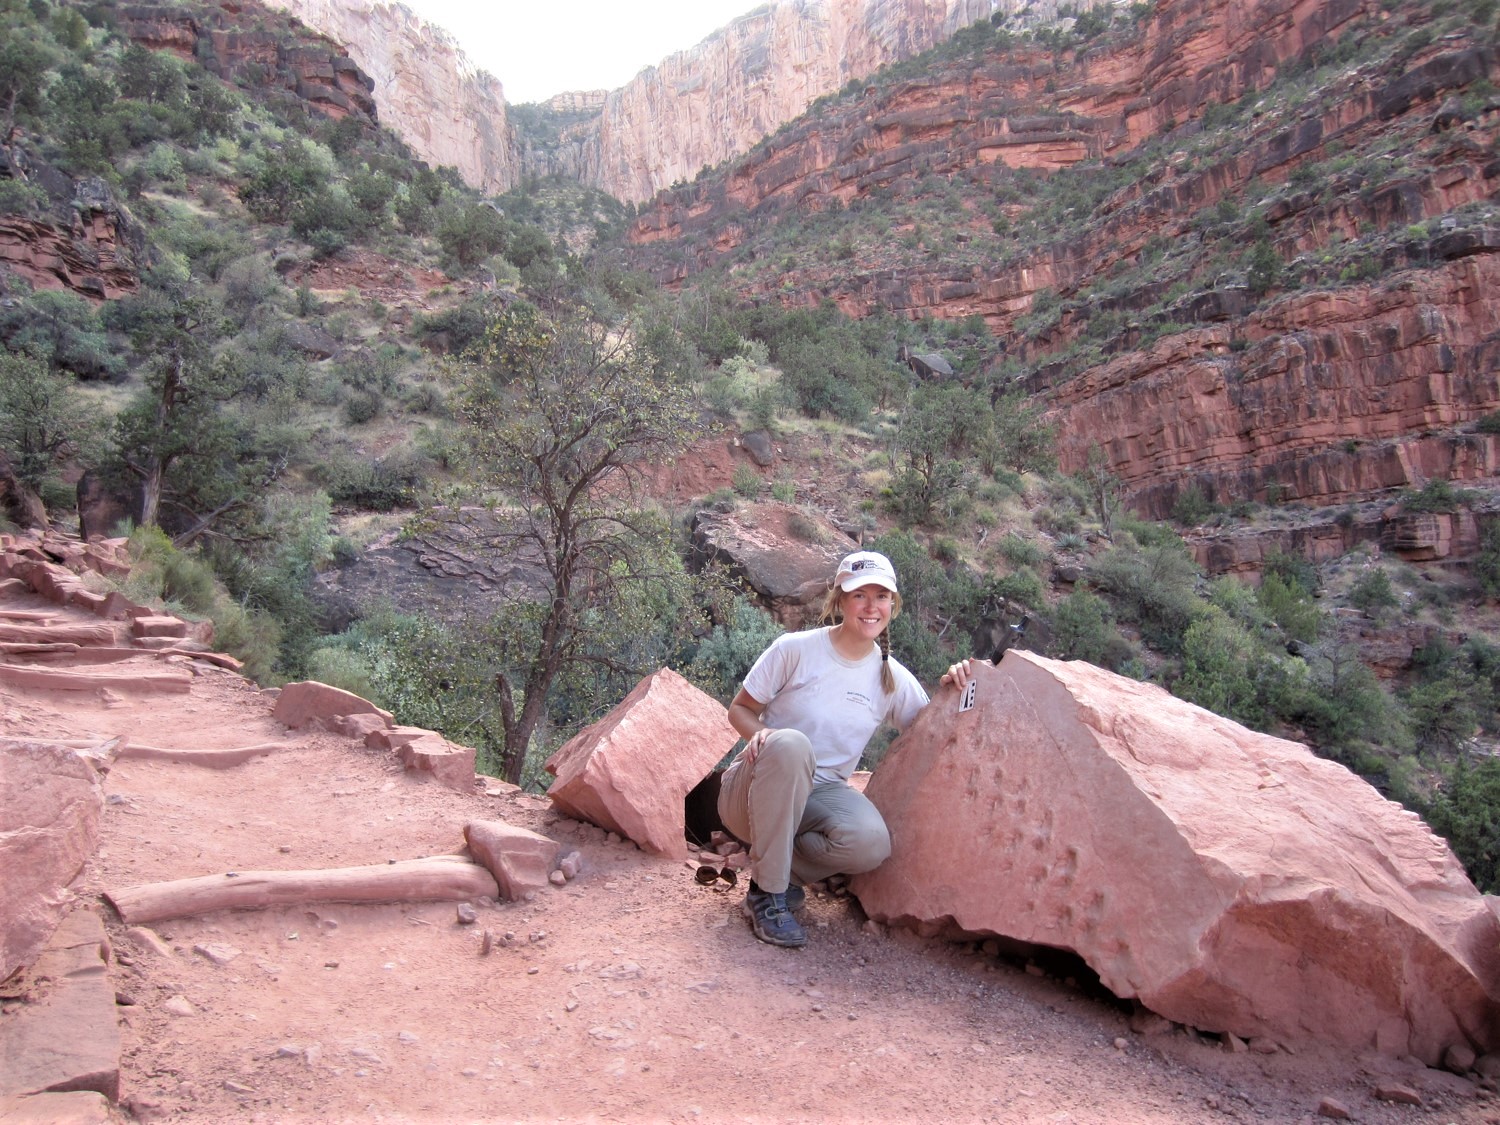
(836, 703)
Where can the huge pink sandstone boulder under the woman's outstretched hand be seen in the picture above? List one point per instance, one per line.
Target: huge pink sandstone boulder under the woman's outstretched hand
(1228, 880)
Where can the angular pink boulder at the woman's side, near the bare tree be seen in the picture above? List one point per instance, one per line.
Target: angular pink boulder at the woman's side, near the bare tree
(634, 769)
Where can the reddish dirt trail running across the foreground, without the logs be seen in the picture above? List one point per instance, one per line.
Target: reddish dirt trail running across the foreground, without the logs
(631, 995)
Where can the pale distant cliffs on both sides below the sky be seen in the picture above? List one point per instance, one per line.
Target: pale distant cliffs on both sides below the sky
(694, 109)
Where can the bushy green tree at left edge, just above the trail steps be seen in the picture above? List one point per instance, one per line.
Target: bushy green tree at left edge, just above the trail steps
(41, 418)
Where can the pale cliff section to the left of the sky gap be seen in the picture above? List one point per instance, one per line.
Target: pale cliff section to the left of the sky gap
(428, 91)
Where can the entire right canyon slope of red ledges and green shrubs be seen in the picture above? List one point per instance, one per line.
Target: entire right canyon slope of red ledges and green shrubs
(1316, 184)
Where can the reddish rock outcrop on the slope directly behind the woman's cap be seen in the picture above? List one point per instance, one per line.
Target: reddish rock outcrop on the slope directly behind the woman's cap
(788, 574)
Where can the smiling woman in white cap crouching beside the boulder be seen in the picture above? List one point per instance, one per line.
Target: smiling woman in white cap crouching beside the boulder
(806, 712)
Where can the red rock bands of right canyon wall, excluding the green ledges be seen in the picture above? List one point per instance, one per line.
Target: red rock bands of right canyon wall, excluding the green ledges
(1318, 397)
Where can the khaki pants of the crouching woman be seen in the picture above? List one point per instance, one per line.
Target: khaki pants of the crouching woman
(797, 830)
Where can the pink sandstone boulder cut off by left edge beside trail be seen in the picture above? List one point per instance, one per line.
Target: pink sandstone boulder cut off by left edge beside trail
(50, 805)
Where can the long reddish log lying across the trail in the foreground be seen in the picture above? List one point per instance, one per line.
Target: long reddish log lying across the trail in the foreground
(439, 878)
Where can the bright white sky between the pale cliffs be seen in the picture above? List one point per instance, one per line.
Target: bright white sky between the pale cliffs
(538, 50)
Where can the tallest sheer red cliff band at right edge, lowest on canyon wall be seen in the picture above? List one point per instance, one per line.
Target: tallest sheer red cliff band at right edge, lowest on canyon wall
(1325, 397)
